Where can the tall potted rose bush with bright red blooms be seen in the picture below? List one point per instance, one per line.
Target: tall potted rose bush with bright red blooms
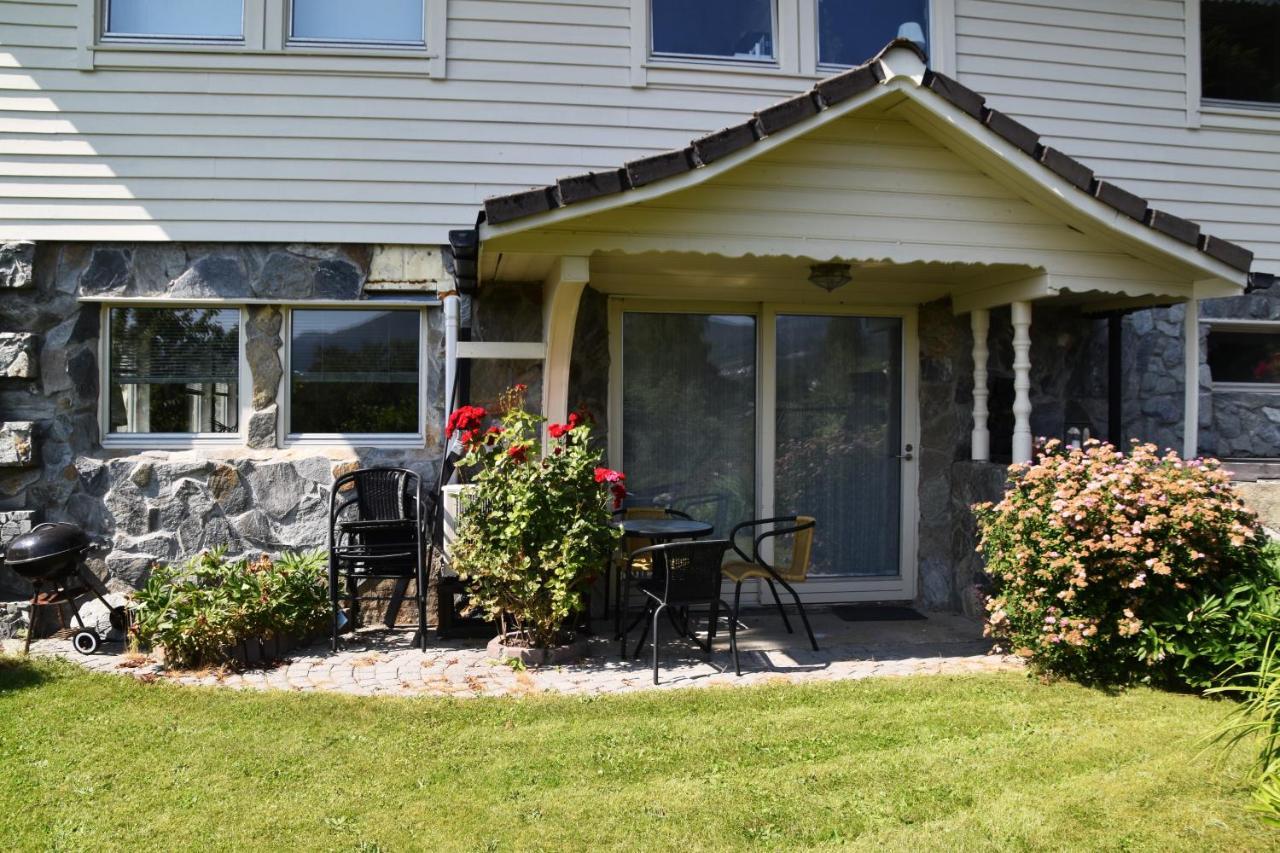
(536, 531)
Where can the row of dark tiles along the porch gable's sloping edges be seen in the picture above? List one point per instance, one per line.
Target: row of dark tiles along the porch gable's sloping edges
(824, 95)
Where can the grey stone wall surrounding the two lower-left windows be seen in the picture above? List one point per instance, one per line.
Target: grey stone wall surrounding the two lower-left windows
(147, 507)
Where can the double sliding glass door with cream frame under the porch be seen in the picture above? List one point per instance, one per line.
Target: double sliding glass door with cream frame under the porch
(776, 412)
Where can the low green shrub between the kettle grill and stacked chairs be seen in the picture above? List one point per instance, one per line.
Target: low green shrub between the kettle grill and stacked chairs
(200, 610)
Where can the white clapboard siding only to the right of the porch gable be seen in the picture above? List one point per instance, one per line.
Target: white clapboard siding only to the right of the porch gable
(1108, 81)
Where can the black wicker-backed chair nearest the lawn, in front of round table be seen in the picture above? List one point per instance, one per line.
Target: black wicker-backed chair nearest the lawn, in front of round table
(682, 576)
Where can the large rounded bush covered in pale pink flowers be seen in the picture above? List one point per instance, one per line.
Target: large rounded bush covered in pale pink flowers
(1114, 568)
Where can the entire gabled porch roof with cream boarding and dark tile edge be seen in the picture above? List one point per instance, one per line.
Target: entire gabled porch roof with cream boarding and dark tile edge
(888, 166)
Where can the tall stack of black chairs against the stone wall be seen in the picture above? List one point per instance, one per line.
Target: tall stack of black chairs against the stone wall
(377, 532)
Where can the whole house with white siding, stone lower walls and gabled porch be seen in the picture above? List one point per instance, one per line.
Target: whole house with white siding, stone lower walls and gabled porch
(796, 256)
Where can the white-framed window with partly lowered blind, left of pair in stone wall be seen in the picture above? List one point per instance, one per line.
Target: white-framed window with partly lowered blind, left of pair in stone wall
(172, 376)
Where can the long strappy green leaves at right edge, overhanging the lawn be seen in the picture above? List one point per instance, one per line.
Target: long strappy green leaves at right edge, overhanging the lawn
(1258, 718)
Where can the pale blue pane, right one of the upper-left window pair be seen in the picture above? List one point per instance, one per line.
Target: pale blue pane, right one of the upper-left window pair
(383, 22)
